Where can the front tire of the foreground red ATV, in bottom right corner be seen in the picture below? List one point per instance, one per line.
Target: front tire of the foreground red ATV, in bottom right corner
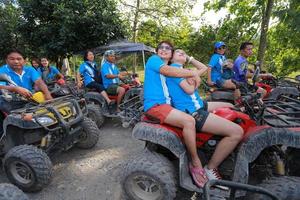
(284, 187)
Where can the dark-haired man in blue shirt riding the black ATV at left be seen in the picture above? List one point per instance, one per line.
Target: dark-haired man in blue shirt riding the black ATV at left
(23, 77)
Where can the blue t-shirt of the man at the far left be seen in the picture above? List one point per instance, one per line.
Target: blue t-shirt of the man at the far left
(25, 80)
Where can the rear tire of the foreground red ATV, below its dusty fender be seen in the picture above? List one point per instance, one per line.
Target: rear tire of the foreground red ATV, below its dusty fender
(149, 176)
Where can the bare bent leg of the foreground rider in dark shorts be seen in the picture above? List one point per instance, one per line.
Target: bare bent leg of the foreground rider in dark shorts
(232, 133)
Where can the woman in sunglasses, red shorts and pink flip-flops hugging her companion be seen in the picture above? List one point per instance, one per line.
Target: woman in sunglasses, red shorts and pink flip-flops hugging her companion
(157, 102)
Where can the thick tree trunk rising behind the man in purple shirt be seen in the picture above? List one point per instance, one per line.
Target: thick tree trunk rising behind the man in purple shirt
(264, 30)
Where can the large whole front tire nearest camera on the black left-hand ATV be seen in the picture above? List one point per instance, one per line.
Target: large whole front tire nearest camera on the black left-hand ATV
(28, 167)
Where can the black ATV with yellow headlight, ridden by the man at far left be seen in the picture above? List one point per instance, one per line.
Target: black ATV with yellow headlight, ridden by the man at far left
(32, 133)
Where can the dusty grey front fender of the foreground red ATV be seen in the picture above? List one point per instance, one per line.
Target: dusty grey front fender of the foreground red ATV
(257, 142)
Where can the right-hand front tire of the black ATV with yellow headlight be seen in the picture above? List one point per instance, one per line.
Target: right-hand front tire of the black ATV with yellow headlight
(90, 135)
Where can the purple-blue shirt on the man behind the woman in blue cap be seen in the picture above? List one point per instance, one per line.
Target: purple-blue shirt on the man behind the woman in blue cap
(240, 68)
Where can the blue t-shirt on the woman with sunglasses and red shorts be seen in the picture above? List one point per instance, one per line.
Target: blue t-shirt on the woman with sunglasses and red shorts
(155, 86)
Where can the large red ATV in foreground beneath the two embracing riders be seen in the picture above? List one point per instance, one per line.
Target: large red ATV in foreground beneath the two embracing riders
(268, 155)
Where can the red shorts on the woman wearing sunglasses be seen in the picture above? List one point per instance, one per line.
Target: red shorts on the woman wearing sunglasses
(159, 112)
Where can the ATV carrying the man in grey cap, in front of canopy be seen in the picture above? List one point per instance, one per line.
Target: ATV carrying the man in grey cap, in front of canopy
(131, 106)
